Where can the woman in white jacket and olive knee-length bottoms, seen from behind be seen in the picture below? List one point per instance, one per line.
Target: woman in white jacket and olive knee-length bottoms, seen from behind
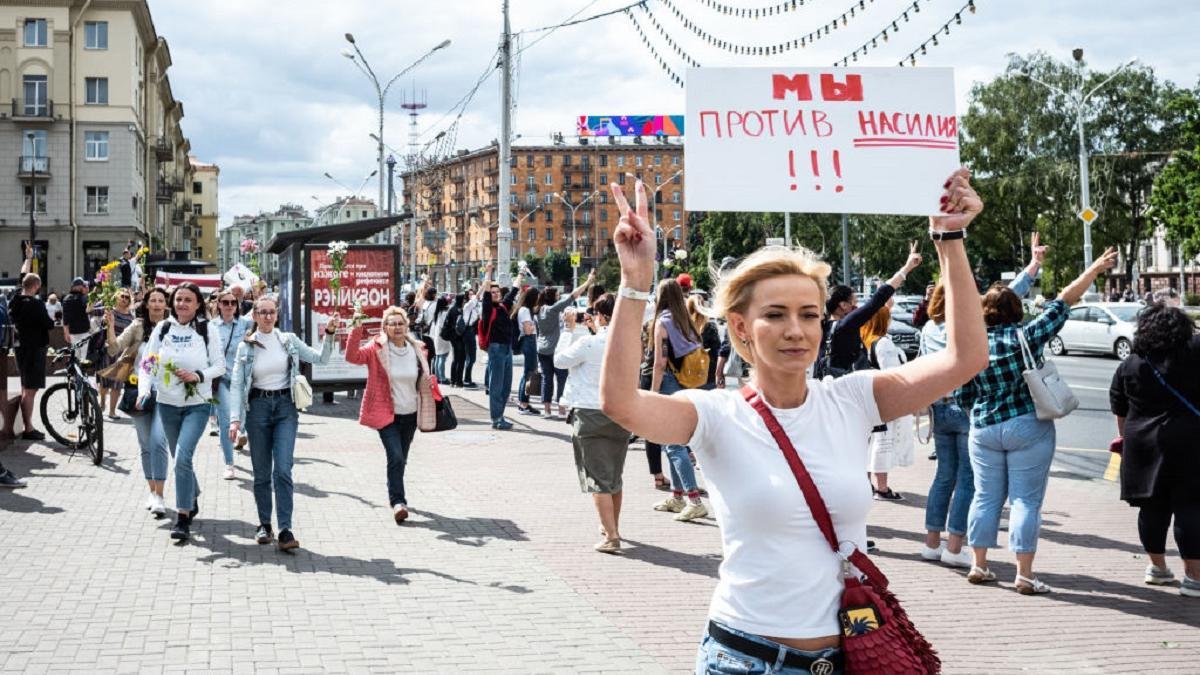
(601, 444)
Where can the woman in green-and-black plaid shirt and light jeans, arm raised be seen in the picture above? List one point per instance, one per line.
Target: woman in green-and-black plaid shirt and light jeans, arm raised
(1011, 450)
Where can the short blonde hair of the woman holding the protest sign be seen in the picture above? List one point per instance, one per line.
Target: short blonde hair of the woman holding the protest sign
(735, 289)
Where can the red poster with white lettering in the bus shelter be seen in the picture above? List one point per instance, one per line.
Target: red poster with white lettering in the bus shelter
(369, 277)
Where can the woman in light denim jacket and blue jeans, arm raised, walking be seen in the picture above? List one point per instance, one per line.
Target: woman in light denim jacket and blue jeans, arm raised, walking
(261, 395)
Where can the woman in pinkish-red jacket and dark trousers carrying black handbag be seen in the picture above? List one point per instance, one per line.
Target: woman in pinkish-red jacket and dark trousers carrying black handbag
(398, 384)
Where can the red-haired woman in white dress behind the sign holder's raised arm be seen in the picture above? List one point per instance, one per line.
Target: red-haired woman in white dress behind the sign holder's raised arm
(892, 443)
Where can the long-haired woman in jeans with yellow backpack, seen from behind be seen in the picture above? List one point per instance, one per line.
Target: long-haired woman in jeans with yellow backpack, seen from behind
(676, 341)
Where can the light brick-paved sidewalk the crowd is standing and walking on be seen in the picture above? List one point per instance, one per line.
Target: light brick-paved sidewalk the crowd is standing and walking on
(496, 572)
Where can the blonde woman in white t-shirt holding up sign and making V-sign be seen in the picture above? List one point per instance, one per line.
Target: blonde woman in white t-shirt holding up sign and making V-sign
(781, 586)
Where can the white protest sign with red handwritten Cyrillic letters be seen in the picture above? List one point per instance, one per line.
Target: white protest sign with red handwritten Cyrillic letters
(859, 141)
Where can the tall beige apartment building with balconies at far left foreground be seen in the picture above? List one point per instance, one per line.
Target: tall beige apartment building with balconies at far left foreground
(88, 116)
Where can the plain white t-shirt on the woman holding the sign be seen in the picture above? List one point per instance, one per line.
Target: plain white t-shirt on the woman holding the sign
(779, 577)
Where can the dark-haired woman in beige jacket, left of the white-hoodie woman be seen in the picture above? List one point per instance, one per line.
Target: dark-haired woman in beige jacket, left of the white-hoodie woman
(152, 440)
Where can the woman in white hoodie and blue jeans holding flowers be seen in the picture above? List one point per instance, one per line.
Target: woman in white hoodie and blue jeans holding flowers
(183, 360)
